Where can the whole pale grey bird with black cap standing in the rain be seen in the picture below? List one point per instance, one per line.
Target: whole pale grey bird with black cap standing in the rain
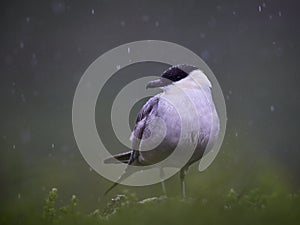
(178, 83)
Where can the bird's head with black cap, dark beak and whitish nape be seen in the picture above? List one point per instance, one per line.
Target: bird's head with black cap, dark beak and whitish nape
(184, 75)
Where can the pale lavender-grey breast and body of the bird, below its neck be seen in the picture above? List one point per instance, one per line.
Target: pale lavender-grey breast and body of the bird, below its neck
(164, 124)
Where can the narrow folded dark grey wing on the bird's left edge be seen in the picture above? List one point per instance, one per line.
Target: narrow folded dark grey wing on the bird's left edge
(138, 131)
